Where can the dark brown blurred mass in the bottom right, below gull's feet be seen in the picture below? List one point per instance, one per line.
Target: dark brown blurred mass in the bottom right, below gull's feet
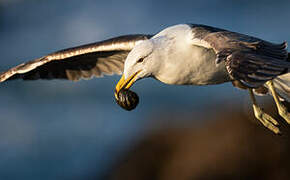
(230, 146)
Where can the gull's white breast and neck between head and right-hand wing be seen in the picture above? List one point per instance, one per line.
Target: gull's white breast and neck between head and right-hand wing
(185, 63)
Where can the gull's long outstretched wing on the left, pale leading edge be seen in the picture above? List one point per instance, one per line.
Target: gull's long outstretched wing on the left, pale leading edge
(96, 59)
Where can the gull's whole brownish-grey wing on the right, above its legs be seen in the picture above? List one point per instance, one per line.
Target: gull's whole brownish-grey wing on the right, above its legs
(249, 60)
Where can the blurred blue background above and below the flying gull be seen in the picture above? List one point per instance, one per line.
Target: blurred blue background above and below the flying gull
(67, 130)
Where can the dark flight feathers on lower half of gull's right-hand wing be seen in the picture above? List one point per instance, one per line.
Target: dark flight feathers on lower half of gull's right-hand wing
(253, 69)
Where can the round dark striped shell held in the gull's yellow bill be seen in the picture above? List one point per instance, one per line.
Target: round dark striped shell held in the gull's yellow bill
(127, 99)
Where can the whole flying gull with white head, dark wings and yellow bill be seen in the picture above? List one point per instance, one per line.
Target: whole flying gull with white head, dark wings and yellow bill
(184, 54)
